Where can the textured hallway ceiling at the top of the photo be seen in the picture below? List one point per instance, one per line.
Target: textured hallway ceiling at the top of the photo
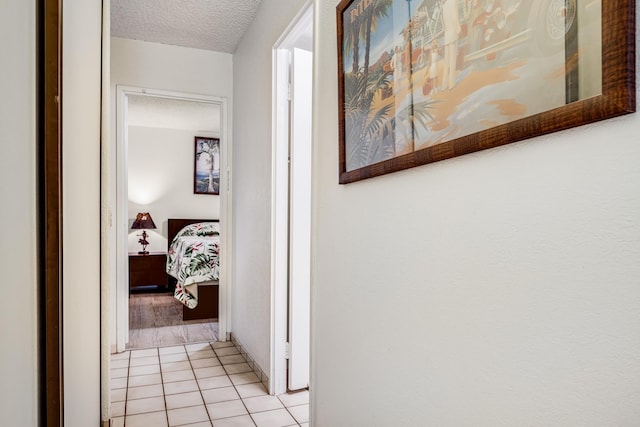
(216, 25)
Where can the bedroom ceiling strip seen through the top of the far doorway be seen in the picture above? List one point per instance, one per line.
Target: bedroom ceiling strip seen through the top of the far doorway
(166, 113)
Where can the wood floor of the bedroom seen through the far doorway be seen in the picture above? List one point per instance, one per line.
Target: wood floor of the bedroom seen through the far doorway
(155, 320)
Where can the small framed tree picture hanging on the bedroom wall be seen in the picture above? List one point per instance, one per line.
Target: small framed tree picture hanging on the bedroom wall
(206, 176)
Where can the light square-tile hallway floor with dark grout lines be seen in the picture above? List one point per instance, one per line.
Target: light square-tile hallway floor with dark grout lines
(196, 385)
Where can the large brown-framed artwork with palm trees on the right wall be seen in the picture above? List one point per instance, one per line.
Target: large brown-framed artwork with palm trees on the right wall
(421, 81)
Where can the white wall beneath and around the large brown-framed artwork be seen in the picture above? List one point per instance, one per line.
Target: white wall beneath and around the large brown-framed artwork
(499, 288)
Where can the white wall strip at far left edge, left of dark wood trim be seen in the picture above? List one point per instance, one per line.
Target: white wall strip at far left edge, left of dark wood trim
(18, 328)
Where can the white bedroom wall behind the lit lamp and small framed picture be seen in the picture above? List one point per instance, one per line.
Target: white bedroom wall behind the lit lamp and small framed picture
(160, 179)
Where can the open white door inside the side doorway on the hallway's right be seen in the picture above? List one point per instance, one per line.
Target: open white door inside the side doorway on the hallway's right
(300, 219)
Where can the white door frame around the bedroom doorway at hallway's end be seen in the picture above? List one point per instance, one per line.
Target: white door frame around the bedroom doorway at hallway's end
(119, 247)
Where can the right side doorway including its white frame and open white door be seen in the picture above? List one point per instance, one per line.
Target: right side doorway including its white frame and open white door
(291, 205)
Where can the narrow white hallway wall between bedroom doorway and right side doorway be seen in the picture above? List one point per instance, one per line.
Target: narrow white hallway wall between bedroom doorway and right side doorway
(252, 177)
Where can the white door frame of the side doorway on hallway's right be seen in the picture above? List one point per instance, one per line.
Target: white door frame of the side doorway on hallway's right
(280, 198)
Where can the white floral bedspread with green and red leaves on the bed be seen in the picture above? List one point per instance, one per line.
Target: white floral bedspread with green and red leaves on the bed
(194, 258)
